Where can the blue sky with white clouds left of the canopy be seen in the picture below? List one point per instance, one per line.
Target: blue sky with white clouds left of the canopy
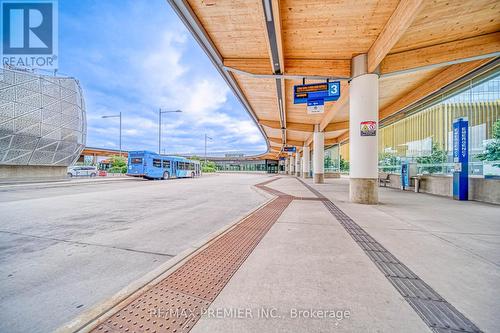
(136, 56)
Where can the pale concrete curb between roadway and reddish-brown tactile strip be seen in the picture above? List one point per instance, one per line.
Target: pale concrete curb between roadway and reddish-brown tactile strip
(89, 319)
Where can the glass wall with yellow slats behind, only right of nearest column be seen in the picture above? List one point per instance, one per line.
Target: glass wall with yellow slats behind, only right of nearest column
(424, 135)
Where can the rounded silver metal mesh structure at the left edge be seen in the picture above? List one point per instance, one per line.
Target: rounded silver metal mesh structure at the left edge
(42, 119)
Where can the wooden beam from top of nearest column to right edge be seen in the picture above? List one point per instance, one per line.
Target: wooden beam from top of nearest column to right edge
(443, 54)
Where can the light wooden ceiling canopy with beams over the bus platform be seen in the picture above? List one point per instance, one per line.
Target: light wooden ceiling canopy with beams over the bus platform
(268, 46)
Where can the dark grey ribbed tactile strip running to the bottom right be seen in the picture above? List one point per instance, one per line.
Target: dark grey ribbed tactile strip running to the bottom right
(435, 311)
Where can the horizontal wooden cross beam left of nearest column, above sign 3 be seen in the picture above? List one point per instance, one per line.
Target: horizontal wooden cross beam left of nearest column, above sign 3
(302, 67)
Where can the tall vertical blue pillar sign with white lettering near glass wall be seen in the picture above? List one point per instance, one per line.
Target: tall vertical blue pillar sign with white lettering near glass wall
(461, 159)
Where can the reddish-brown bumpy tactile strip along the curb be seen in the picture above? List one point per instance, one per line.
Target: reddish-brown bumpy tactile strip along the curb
(177, 302)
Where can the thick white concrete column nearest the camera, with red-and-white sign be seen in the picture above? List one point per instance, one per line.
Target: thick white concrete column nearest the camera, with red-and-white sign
(363, 150)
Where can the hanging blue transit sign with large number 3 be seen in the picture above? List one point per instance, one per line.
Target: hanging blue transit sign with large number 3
(328, 91)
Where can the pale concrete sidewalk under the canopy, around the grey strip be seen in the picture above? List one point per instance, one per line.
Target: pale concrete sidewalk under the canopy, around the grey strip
(308, 274)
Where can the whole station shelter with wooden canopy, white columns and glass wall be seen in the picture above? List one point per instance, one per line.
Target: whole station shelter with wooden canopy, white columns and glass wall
(406, 72)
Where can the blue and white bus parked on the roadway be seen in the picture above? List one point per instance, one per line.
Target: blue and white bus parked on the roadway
(150, 165)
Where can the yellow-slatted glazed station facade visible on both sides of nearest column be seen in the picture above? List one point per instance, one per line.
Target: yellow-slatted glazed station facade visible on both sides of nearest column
(412, 133)
